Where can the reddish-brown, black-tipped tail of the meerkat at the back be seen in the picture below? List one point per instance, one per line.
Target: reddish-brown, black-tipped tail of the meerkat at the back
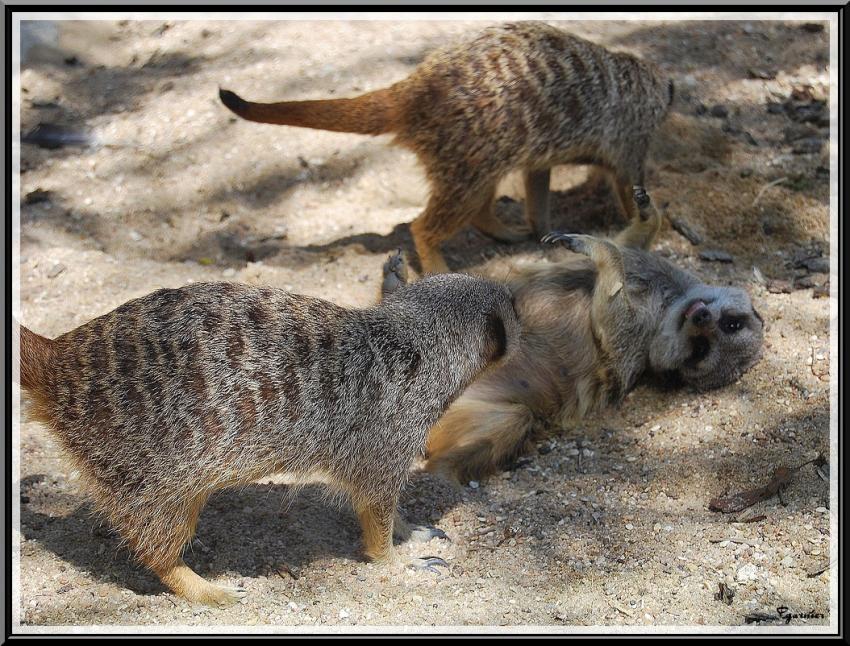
(373, 113)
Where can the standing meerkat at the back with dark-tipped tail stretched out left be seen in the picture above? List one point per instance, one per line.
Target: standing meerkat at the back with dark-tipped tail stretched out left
(524, 95)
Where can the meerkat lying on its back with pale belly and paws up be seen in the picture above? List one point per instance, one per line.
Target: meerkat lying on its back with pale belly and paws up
(594, 323)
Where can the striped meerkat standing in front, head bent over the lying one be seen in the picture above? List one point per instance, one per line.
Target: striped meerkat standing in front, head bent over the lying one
(186, 391)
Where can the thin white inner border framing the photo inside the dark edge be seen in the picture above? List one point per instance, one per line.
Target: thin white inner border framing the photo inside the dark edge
(17, 17)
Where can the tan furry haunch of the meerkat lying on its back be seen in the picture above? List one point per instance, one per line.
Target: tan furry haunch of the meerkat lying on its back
(478, 437)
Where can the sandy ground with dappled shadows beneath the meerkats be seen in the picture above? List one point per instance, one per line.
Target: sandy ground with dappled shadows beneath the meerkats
(608, 524)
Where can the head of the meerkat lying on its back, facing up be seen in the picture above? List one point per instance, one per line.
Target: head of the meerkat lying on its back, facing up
(709, 337)
